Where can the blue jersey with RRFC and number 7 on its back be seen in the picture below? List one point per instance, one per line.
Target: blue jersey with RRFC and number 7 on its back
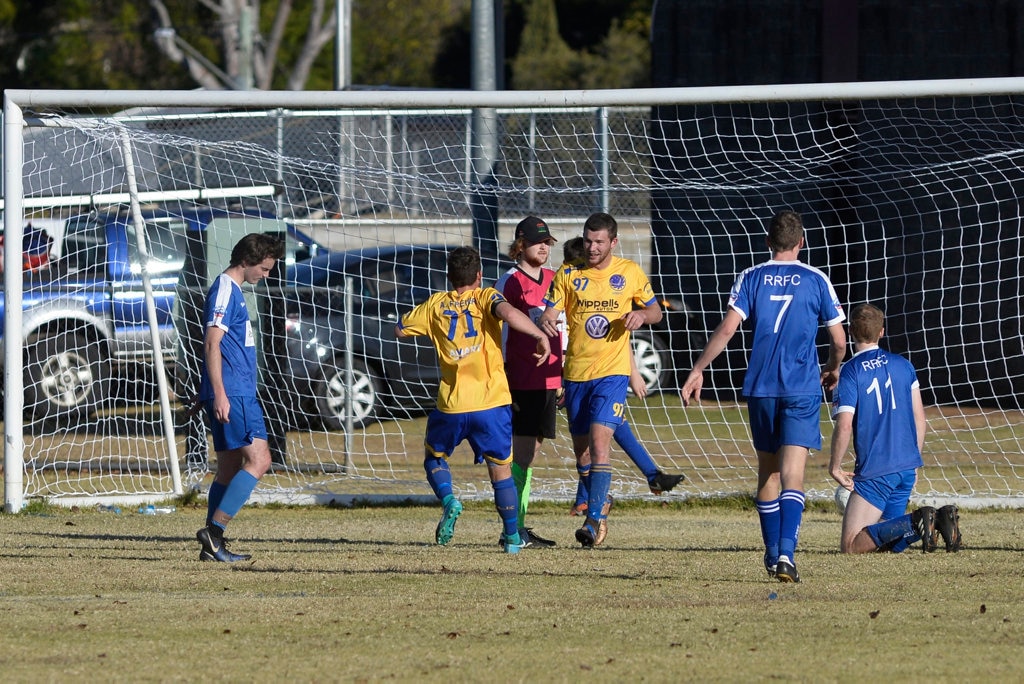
(785, 302)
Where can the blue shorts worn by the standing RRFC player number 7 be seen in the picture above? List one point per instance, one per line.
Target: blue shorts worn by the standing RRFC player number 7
(786, 421)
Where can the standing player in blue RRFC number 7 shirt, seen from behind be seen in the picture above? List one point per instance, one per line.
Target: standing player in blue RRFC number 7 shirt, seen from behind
(785, 302)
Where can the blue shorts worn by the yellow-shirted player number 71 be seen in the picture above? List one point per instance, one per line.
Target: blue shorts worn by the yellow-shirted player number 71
(489, 433)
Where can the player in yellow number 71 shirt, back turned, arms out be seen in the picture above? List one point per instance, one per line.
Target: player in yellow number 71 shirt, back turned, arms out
(474, 402)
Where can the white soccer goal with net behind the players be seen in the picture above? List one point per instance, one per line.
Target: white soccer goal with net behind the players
(126, 205)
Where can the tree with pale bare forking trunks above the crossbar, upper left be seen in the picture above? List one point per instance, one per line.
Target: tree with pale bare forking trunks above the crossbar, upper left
(249, 58)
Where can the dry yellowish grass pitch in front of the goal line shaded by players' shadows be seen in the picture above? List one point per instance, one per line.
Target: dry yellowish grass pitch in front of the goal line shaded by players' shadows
(677, 594)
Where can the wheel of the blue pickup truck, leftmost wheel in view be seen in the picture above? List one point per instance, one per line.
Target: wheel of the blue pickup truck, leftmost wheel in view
(63, 377)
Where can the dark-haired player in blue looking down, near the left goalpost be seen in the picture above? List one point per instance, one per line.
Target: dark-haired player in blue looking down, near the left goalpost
(228, 391)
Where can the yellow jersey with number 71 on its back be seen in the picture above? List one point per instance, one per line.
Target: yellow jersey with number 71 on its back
(467, 335)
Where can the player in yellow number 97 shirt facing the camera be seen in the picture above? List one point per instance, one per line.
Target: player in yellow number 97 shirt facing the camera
(599, 302)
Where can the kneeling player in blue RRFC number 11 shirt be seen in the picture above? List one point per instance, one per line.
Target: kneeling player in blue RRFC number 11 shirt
(878, 406)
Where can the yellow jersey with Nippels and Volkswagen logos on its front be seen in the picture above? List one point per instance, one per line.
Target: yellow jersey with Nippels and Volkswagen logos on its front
(595, 302)
